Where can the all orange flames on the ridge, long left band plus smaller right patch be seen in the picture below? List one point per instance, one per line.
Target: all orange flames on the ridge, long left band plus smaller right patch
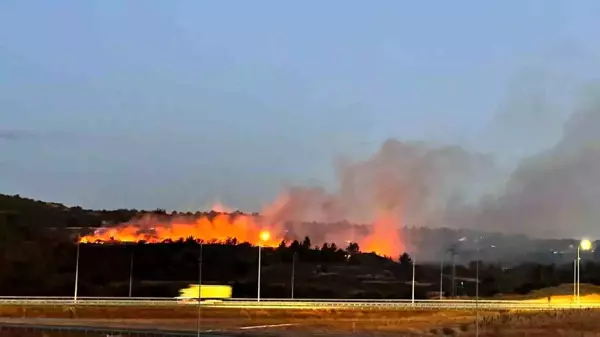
(225, 227)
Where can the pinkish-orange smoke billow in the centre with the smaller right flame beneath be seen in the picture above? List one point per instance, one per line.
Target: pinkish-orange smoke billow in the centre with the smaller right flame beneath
(403, 184)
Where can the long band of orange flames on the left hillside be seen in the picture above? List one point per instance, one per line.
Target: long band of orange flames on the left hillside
(222, 227)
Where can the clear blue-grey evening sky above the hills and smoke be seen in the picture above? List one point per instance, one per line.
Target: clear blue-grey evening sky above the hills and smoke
(180, 104)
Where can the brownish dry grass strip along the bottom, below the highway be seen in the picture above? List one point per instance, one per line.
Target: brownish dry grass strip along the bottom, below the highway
(323, 322)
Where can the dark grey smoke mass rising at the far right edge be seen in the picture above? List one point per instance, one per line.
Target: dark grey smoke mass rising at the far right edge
(554, 193)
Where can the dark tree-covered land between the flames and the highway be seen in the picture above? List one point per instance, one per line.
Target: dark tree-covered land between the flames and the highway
(38, 257)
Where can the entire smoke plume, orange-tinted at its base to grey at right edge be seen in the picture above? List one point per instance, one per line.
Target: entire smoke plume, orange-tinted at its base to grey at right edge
(552, 194)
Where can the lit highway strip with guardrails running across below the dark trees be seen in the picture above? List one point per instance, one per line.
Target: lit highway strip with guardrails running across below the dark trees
(310, 304)
